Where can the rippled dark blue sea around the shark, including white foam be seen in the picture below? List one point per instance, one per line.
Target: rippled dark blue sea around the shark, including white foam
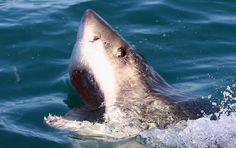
(191, 44)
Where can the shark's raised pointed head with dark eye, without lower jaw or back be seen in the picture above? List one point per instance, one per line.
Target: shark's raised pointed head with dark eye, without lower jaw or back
(105, 68)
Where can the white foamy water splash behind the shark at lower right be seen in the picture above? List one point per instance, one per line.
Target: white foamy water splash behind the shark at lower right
(199, 133)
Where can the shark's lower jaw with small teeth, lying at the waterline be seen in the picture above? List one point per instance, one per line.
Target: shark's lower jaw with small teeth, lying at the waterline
(95, 130)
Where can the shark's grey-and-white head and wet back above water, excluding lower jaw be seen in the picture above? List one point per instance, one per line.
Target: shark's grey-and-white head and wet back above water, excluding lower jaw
(116, 83)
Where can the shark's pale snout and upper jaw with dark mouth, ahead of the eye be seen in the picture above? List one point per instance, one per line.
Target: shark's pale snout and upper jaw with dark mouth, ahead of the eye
(91, 69)
